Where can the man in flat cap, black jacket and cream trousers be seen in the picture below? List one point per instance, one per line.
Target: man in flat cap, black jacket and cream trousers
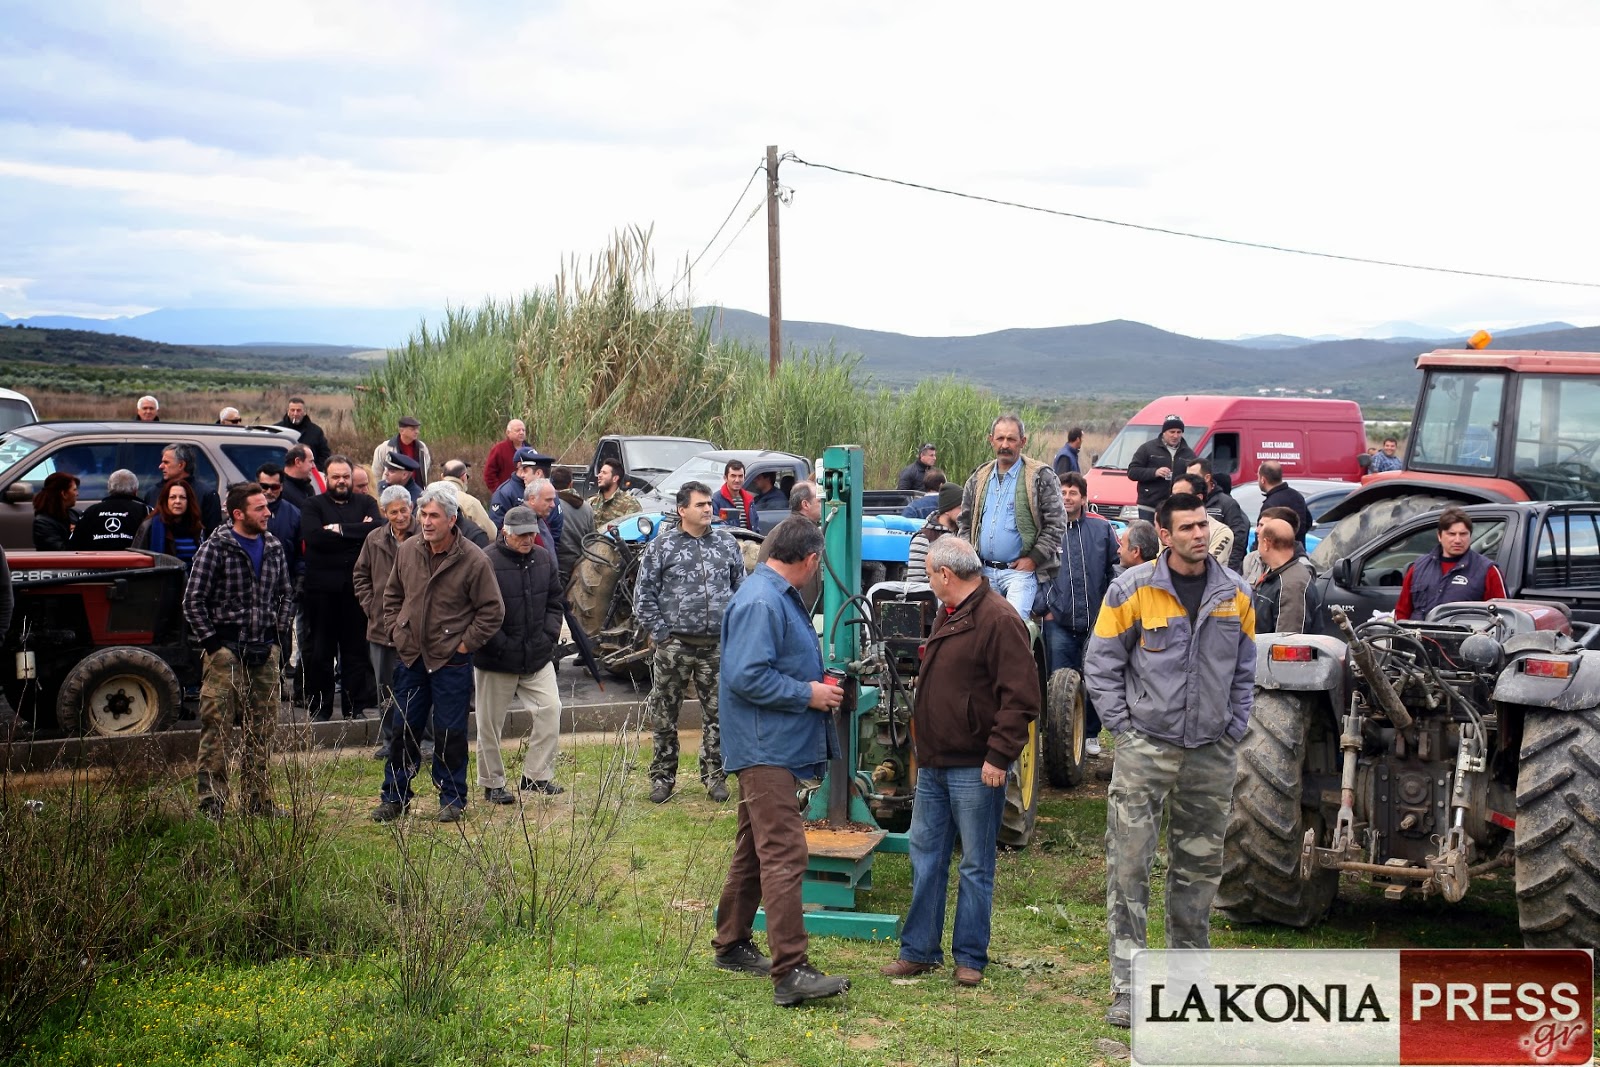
(516, 663)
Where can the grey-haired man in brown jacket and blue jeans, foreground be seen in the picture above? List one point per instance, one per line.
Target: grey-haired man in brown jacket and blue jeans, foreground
(977, 697)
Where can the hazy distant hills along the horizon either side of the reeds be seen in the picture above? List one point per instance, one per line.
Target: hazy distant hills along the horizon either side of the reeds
(1110, 359)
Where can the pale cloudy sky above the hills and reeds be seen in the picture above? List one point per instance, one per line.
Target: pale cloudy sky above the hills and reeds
(420, 153)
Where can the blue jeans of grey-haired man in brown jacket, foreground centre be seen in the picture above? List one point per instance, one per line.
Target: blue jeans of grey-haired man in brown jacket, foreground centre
(953, 801)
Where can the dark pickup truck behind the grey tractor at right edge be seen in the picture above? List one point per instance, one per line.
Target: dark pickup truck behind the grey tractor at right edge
(1545, 553)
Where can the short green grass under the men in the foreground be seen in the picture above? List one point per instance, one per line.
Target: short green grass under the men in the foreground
(622, 973)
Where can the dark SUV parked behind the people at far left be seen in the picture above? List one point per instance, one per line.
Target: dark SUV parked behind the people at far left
(95, 450)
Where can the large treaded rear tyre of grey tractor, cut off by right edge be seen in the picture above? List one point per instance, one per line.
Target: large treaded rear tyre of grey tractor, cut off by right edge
(1559, 829)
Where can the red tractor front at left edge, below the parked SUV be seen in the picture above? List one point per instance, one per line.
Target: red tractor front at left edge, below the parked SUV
(98, 642)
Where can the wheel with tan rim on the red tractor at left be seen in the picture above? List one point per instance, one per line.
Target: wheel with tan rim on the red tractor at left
(116, 693)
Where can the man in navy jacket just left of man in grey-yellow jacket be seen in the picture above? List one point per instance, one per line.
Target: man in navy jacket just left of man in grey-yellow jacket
(1089, 553)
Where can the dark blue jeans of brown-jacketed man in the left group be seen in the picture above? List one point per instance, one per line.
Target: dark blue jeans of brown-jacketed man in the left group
(442, 695)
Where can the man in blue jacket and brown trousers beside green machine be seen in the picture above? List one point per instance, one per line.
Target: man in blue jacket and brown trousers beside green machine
(777, 733)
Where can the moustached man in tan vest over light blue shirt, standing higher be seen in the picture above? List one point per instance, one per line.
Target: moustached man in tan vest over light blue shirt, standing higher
(1012, 514)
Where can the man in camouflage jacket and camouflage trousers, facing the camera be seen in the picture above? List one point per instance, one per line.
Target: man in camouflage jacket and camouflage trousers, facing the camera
(687, 577)
